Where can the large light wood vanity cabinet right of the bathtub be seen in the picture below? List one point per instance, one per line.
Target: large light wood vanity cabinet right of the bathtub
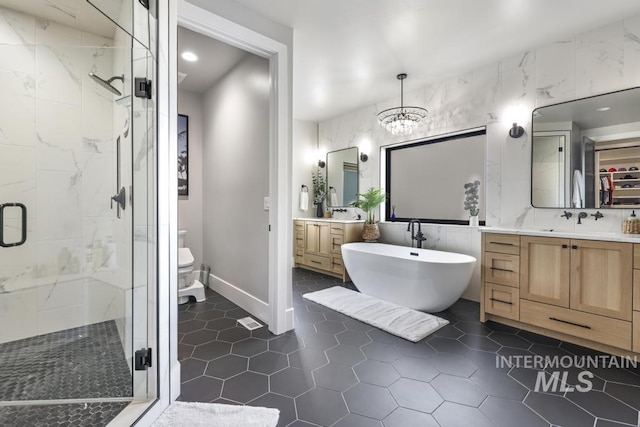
(571, 288)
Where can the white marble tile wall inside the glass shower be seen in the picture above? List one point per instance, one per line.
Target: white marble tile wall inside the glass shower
(57, 157)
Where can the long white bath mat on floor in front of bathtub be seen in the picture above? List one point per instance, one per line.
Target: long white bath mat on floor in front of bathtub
(404, 322)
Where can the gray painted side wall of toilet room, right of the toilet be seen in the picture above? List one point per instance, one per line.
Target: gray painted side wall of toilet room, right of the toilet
(236, 177)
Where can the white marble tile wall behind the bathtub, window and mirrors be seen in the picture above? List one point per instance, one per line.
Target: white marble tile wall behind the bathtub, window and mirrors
(596, 61)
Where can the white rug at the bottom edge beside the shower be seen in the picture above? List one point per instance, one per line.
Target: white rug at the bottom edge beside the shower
(190, 414)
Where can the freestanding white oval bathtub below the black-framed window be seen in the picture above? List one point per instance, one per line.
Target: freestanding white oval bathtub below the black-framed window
(421, 279)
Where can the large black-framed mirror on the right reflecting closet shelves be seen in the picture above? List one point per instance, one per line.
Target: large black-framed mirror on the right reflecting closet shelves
(586, 153)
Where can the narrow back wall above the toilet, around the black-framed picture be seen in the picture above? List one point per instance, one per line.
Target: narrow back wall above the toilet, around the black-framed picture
(190, 207)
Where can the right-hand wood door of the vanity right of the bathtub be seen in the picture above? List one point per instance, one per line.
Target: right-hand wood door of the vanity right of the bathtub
(602, 278)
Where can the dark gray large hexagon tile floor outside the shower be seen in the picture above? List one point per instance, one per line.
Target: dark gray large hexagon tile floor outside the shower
(332, 370)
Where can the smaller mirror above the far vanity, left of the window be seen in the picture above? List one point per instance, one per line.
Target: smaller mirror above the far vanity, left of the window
(342, 177)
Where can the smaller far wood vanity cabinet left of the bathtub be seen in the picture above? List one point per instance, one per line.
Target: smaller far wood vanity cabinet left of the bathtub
(318, 245)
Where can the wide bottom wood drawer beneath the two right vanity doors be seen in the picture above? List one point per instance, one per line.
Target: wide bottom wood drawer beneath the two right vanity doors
(605, 330)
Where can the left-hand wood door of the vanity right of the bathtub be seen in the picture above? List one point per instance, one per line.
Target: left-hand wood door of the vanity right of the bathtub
(545, 265)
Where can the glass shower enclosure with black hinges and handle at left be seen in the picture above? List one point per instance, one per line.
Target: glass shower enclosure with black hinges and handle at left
(77, 209)
